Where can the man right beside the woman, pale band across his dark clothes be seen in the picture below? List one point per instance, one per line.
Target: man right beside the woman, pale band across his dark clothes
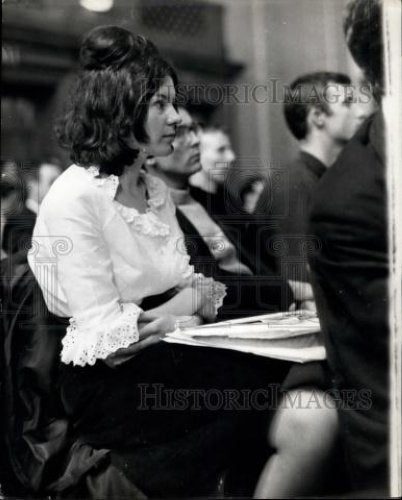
(211, 249)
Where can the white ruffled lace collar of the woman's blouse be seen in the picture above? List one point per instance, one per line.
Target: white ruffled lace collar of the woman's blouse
(148, 222)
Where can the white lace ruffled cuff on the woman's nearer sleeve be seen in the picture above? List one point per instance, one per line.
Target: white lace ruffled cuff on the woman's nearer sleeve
(83, 346)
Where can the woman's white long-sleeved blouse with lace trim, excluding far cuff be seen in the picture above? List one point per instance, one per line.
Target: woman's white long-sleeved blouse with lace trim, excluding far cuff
(96, 259)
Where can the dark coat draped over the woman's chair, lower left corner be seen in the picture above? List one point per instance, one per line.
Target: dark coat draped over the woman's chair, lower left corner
(38, 454)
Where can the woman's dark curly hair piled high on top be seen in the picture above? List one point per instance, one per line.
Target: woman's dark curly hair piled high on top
(109, 101)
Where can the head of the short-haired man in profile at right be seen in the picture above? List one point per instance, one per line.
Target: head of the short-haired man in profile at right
(313, 95)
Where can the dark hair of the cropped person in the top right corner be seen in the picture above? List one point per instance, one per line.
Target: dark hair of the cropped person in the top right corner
(363, 31)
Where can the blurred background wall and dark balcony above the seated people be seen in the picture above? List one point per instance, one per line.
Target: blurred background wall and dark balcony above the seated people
(235, 56)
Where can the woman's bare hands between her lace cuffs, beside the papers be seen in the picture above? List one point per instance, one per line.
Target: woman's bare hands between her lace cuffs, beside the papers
(152, 329)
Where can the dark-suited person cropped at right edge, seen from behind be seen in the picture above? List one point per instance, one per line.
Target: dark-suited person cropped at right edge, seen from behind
(350, 271)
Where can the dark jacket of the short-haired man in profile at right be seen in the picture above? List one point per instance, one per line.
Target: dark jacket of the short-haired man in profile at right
(280, 227)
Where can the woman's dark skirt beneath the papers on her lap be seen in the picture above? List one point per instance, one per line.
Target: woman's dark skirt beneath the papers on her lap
(174, 416)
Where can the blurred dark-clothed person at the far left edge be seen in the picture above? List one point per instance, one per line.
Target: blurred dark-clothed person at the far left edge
(17, 221)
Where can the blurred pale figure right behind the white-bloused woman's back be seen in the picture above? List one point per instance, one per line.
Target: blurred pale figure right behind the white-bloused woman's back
(39, 178)
